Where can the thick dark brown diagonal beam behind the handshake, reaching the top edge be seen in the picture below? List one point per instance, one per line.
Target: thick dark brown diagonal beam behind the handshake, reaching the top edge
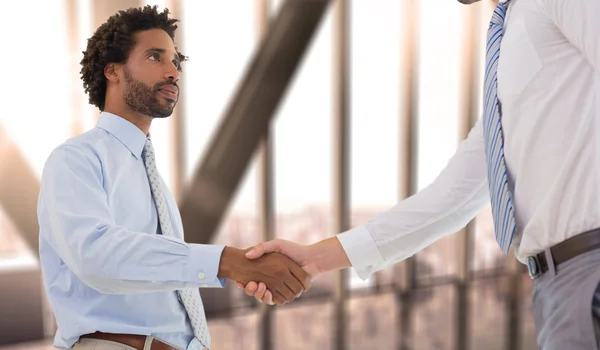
(248, 116)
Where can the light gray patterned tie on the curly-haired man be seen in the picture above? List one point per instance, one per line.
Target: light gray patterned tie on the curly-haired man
(190, 297)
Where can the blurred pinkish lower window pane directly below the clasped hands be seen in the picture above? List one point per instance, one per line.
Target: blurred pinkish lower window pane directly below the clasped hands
(303, 327)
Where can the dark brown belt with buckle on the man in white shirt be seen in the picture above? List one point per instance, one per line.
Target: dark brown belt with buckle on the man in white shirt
(568, 249)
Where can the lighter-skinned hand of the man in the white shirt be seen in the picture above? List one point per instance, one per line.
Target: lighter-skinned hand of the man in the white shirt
(300, 254)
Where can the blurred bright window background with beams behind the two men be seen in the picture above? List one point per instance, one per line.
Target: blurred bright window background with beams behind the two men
(338, 110)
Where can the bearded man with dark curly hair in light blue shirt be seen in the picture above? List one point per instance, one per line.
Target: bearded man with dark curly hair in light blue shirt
(115, 265)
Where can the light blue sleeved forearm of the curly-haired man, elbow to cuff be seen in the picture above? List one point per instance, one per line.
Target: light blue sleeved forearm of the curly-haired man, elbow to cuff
(118, 261)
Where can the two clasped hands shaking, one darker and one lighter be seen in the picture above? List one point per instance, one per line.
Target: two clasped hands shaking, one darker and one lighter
(279, 271)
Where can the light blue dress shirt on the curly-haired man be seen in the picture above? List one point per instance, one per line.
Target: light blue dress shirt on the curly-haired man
(105, 265)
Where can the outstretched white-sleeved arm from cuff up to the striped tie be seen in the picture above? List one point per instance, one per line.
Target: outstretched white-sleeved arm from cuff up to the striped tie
(442, 208)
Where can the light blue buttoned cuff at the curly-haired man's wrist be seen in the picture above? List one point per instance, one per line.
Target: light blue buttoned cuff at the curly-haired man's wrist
(203, 265)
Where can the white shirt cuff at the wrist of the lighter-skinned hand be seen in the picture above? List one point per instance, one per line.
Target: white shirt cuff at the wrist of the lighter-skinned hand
(361, 251)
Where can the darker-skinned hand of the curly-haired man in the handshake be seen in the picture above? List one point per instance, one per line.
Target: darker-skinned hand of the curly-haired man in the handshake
(284, 278)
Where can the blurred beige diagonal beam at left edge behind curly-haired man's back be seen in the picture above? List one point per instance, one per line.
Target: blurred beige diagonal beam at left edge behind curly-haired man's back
(19, 188)
